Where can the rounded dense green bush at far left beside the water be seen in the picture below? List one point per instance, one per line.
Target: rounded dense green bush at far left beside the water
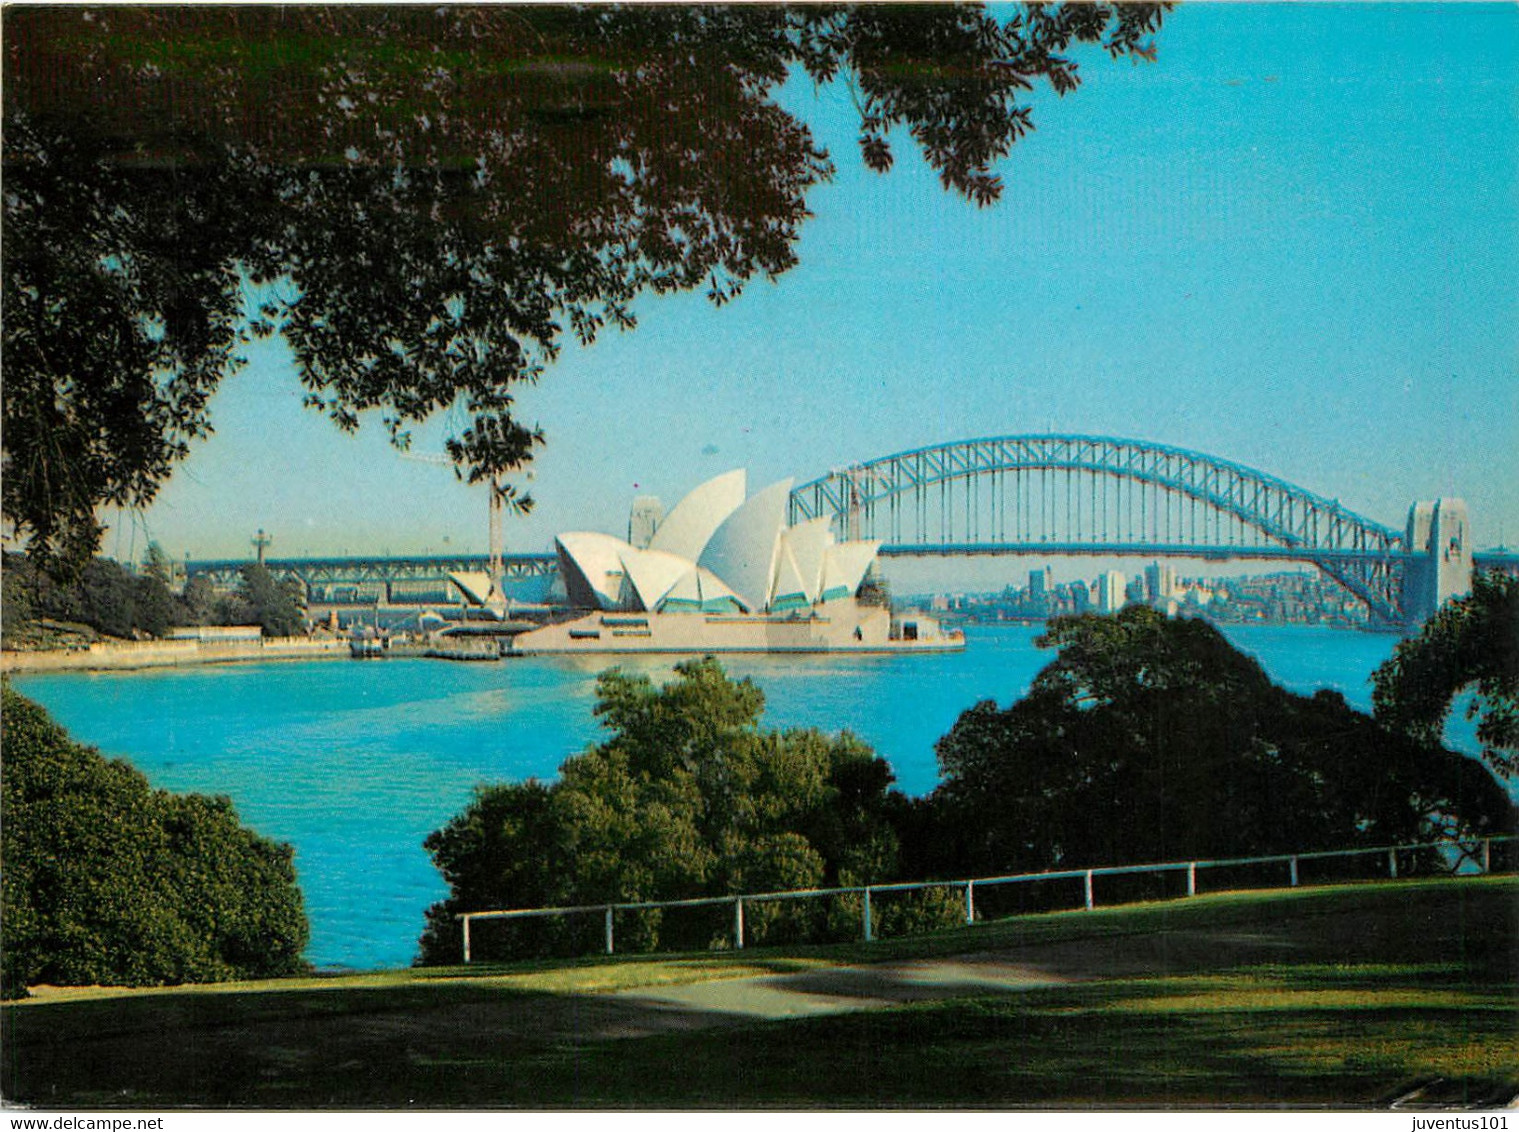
(109, 881)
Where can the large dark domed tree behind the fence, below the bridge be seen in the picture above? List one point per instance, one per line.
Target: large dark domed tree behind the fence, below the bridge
(1154, 739)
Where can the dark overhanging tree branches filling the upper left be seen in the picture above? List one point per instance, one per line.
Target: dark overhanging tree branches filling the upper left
(423, 201)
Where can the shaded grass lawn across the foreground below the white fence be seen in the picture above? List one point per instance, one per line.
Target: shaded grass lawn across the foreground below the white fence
(1353, 996)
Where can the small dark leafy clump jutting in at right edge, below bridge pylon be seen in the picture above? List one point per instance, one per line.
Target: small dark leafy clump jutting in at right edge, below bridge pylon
(1470, 647)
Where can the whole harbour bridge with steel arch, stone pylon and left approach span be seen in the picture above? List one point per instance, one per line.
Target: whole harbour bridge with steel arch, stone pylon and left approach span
(1044, 496)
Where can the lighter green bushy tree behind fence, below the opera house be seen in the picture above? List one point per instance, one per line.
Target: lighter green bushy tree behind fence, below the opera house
(687, 798)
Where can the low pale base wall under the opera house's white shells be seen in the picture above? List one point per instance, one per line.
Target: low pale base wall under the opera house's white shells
(836, 627)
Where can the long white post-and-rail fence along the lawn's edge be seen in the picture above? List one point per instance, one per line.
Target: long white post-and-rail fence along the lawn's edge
(1474, 850)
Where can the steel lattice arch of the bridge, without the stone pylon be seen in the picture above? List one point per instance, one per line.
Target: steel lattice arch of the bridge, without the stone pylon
(1102, 496)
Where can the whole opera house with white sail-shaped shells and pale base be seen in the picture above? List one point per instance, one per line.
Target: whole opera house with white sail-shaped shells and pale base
(725, 574)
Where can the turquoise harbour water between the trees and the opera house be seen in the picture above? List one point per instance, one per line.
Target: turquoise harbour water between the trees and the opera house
(355, 764)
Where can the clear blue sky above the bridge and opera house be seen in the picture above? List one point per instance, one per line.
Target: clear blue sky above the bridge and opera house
(1290, 242)
